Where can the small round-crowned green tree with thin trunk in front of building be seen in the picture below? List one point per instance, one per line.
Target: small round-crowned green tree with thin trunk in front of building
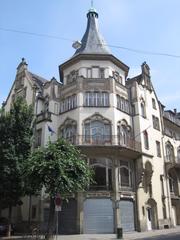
(60, 168)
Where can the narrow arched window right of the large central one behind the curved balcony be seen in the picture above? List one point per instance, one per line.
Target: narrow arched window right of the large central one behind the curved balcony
(124, 133)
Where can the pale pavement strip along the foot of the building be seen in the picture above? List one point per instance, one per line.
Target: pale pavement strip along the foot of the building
(126, 236)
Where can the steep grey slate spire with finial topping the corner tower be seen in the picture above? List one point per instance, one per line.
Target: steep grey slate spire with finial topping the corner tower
(92, 41)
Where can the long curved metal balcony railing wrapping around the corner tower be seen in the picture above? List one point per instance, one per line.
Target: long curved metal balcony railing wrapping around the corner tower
(105, 140)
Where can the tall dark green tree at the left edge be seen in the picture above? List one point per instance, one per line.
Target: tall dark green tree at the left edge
(15, 146)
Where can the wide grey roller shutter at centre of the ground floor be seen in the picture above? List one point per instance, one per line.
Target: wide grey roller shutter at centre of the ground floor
(98, 216)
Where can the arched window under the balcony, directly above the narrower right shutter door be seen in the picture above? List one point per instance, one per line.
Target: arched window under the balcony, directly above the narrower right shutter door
(125, 175)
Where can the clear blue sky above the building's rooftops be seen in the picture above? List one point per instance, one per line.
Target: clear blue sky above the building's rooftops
(149, 26)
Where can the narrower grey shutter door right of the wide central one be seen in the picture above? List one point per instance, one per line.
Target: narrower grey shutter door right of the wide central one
(127, 215)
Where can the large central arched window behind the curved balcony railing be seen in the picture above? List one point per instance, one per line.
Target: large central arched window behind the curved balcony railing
(97, 130)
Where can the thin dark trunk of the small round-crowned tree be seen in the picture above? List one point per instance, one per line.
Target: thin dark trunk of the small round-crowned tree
(51, 221)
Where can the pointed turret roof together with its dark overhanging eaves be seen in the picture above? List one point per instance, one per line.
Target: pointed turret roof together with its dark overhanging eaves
(93, 48)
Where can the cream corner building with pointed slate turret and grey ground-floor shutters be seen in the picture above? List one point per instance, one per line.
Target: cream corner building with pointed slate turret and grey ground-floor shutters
(132, 143)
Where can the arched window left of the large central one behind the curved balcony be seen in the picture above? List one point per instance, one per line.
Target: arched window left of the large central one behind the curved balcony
(68, 130)
